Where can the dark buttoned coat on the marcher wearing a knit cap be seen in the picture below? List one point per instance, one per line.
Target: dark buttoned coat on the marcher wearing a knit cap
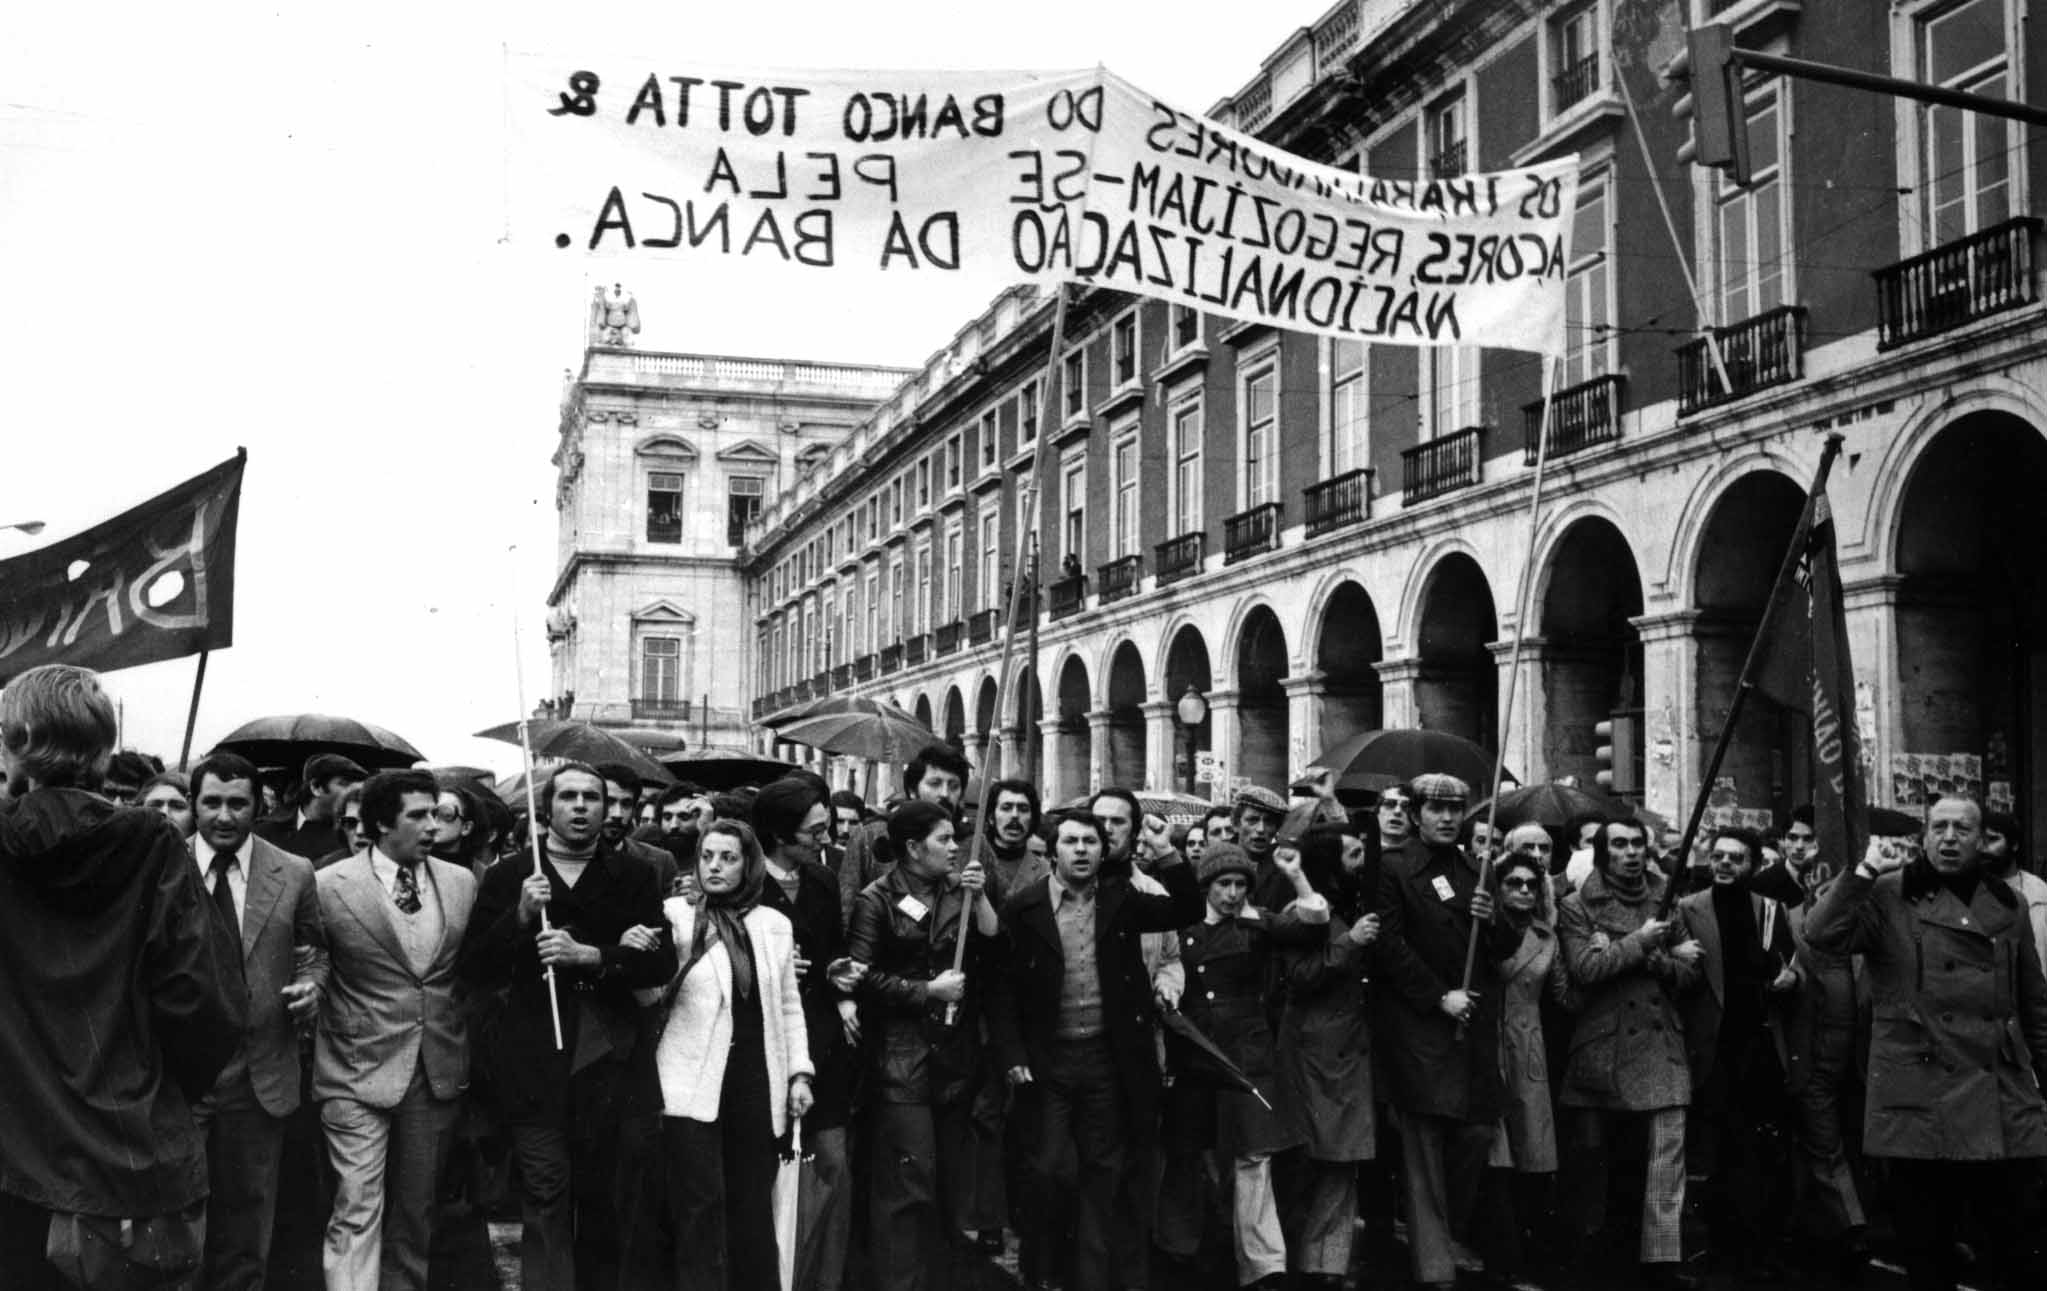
(1229, 969)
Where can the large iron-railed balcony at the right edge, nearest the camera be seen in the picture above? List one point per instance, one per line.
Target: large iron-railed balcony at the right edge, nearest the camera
(1958, 283)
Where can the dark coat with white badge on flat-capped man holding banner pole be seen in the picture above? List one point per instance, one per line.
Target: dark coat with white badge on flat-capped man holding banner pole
(1438, 1069)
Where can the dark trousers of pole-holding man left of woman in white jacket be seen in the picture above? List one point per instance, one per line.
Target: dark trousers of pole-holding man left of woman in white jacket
(568, 1177)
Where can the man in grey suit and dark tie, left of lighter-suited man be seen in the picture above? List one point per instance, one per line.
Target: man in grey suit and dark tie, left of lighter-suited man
(267, 897)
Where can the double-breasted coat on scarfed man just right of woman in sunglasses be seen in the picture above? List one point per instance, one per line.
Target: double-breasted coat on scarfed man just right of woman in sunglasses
(1628, 1044)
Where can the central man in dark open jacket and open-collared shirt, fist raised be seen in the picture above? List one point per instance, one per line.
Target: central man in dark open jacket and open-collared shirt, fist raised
(1074, 1018)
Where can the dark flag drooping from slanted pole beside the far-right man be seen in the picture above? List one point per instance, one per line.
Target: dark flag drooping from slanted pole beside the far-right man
(1804, 664)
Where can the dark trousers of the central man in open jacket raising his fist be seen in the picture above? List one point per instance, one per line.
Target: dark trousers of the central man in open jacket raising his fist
(1082, 1106)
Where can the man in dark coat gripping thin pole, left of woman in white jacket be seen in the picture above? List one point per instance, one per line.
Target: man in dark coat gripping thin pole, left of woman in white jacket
(564, 1104)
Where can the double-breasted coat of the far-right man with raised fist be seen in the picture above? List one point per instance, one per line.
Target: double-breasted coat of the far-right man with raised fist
(1958, 1014)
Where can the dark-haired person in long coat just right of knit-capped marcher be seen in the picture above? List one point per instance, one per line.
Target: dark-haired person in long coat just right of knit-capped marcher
(1325, 1051)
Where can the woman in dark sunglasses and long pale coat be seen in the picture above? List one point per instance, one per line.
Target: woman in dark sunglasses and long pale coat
(1532, 979)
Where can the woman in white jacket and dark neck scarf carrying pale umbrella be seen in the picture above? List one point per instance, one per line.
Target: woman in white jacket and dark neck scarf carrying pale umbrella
(734, 1063)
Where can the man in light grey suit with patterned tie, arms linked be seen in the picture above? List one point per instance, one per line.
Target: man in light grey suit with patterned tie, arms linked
(394, 1051)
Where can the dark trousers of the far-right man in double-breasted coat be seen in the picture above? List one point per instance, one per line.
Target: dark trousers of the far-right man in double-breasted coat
(1933, 1200)
